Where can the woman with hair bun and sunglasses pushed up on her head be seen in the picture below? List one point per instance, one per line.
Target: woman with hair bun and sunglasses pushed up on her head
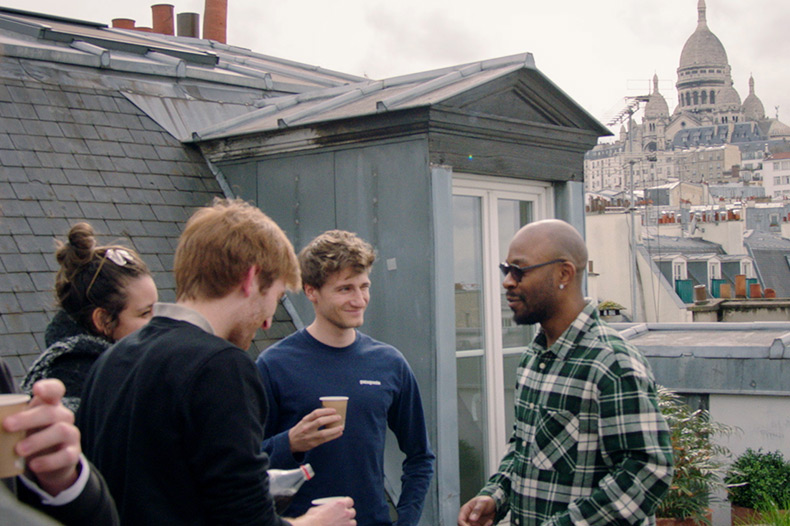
(104, 293)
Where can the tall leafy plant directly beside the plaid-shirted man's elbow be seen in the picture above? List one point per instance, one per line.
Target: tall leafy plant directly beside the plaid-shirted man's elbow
(699, 461)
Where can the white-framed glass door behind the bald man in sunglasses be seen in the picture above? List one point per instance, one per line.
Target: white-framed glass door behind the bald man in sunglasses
(487, 212)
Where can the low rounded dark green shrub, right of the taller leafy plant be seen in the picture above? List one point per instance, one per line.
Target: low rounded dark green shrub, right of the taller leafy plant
(757, 478)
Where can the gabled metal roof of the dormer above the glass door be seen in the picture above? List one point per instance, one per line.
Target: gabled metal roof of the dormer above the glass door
(534, 96)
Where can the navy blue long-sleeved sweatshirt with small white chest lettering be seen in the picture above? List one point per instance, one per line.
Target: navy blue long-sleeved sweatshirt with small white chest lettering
(382, 393)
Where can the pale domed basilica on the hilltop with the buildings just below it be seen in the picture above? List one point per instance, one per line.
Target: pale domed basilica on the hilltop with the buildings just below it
(710, 136)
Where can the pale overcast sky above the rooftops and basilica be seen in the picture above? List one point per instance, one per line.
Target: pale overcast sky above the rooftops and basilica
(598, 51)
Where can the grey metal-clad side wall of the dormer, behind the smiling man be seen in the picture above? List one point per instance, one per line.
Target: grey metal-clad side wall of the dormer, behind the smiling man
(383, 192)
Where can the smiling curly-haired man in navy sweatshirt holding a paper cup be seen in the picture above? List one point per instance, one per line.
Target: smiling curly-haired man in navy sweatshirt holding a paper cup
(331, 357)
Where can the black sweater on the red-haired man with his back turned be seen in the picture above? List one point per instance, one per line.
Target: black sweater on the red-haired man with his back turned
(173, 416)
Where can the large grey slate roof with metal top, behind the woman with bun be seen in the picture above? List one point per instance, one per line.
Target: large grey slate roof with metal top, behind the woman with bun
(90, 125)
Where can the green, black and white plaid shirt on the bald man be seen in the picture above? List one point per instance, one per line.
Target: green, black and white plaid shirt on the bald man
(589, 446)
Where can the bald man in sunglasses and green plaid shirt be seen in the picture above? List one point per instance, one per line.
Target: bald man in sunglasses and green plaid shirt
(589, 445)
